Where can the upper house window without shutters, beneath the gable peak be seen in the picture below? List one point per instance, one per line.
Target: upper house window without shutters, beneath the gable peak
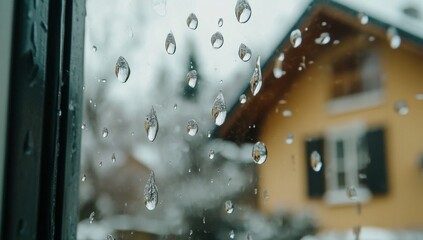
(356, 82)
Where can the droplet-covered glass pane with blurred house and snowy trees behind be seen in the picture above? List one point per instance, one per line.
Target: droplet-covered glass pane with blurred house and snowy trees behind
(337, 105)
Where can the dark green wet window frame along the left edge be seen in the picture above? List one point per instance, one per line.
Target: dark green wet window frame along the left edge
(44, 114)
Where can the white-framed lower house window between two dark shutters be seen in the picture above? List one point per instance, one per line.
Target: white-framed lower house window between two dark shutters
(352, 159)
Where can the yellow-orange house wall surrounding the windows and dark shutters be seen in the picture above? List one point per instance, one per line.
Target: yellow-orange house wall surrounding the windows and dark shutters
(284, 177)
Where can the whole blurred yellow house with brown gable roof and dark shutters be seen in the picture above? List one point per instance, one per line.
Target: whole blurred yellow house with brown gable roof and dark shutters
(348, 97)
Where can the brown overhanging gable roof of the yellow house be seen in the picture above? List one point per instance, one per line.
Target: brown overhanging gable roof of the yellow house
(340, 22)
